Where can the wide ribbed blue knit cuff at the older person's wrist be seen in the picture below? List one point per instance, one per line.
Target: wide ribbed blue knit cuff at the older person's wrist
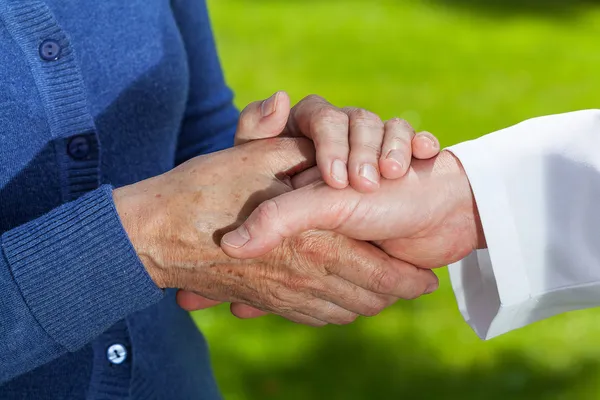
(77, 270)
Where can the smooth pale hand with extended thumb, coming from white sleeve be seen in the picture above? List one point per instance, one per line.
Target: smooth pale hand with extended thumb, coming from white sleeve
(428, 218)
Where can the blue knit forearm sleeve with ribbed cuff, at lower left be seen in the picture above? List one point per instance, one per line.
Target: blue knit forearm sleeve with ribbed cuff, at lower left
(65, 278)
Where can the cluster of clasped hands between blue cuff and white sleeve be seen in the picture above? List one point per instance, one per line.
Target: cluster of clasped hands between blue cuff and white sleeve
(318, 214)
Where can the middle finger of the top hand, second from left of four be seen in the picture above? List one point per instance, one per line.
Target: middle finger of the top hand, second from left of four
(366, 137)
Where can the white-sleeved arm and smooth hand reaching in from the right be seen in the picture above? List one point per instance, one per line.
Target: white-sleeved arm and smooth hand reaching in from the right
(531, 190)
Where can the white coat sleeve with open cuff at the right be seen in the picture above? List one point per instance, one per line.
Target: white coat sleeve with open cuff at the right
(537, 188)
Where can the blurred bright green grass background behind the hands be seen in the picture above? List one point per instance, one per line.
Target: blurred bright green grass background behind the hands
(460, 69)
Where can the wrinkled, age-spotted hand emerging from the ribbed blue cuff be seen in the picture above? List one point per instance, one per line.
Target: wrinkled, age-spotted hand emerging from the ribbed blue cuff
(175, 222)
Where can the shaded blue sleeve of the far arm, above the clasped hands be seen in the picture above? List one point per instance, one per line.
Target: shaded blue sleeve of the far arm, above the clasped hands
(211, 117)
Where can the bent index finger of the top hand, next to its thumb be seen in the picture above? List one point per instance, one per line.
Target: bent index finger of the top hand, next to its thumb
(328, 127)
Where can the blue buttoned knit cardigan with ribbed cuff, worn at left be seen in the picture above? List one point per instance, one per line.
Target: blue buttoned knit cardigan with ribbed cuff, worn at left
(96, 94)
